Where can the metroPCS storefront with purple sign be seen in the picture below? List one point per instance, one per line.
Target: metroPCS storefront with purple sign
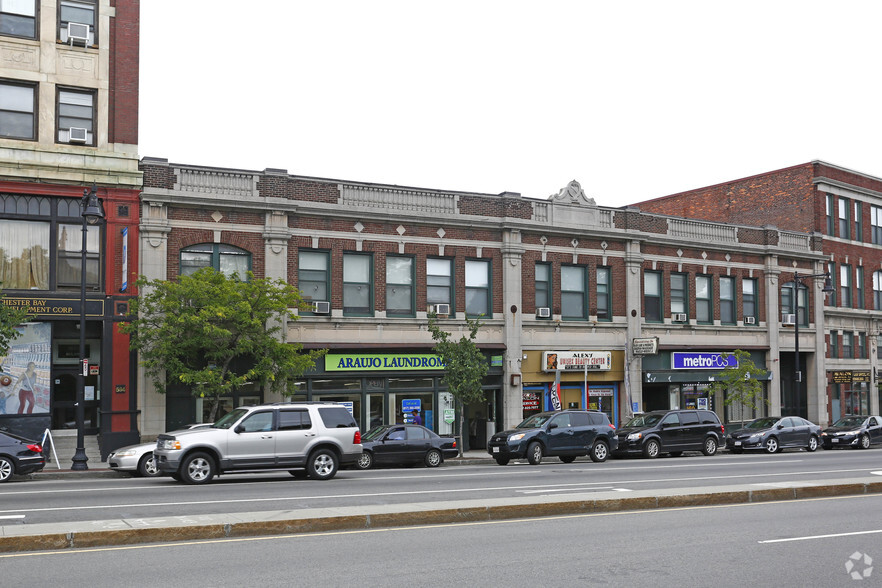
(681, 380)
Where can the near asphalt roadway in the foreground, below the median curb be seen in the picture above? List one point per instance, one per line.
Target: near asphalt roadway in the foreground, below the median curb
(793, 543)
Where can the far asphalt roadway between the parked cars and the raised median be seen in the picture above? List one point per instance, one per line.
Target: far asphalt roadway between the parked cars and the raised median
(85, 499)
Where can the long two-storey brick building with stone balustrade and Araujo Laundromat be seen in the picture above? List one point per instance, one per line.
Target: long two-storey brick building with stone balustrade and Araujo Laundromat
(563, 286)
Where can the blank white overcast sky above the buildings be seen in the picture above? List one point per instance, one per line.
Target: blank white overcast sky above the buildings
(634, 100)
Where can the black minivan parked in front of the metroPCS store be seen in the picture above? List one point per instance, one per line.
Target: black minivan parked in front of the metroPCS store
(671, 431)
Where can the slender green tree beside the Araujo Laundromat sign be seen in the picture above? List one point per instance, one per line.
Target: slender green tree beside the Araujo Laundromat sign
(464, 366)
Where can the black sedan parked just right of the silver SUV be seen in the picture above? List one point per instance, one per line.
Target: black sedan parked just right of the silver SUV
(404, 445)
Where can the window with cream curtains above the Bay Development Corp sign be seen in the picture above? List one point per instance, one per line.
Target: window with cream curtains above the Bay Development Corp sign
(24, 264)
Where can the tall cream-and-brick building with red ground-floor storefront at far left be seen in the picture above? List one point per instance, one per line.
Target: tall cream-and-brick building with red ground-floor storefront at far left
(68, 122)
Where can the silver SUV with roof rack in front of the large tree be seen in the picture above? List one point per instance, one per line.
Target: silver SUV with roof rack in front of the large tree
(317, 437)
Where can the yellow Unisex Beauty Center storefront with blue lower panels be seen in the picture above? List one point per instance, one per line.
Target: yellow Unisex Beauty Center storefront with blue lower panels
(587, 379)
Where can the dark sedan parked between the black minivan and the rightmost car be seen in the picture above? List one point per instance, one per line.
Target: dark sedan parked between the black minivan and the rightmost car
(774, 434)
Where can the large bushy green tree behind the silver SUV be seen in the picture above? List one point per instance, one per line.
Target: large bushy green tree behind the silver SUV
(216, 333)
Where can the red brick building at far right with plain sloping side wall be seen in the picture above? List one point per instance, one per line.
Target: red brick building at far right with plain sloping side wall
(842, 209)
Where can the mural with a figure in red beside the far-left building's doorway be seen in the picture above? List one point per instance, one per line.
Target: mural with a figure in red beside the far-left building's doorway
(24, 373)
